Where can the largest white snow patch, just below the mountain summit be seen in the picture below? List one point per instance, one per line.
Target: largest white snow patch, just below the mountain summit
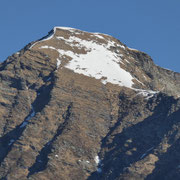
(99, 62)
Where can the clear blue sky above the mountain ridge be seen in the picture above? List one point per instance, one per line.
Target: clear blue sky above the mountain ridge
(152, 26)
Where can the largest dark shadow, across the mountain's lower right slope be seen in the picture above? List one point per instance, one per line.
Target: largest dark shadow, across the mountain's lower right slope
(136, 141)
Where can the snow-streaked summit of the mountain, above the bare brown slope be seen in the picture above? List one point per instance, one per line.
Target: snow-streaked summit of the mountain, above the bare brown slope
(99, 56)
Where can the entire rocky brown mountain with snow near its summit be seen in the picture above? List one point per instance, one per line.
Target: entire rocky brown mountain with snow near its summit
(79, 105)
